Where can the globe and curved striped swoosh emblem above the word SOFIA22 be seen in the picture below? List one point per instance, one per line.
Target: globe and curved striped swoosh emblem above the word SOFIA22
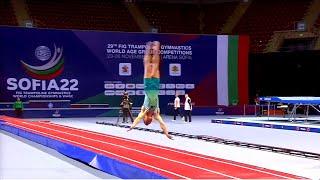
(49, 70)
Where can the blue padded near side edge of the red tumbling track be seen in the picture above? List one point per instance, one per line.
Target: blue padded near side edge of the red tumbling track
(104, 163)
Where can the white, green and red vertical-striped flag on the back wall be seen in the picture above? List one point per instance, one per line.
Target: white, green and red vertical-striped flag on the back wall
(232, 70)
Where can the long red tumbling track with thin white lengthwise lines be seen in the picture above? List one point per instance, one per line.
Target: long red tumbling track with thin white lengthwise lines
(168, 162)
